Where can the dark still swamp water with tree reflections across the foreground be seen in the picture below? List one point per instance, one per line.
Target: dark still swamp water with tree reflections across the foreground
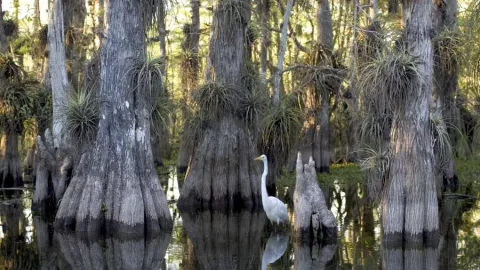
(242, 240)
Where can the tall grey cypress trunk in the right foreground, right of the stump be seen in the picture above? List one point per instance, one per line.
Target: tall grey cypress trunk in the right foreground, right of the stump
(410, 203)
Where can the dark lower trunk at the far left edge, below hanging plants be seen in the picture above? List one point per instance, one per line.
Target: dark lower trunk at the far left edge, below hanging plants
(10, 165)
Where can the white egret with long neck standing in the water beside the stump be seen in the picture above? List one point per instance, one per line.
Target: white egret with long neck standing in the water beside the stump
(275, 209)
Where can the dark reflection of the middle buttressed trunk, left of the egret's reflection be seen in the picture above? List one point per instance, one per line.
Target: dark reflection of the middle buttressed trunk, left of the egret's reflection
(224, 240)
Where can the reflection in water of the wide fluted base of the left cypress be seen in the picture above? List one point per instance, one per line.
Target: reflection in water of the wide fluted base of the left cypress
(76, 252)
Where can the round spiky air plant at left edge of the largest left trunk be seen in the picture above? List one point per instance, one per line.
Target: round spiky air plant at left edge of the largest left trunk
(82, 116)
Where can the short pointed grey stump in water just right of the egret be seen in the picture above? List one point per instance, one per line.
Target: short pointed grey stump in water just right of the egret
(312, 215)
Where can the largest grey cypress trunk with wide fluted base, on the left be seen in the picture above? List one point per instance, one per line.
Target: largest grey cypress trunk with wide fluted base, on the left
(115, 185)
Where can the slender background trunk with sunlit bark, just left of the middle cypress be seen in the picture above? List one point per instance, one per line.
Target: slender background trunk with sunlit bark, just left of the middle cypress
(190, 68)
